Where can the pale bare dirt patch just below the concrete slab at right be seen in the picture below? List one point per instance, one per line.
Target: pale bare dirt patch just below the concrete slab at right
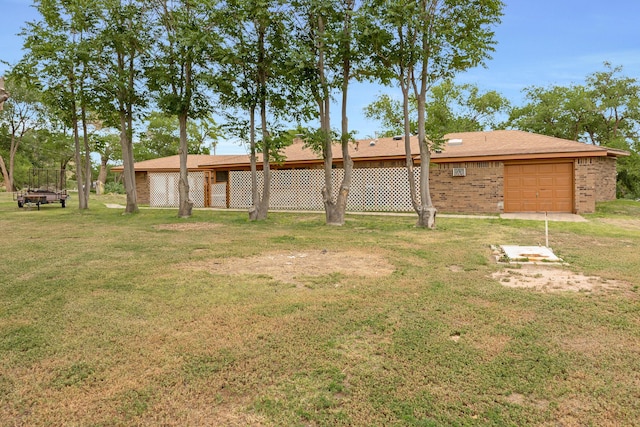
(555, 279)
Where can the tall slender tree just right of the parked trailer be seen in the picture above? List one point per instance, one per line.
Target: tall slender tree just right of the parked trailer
(60, 50)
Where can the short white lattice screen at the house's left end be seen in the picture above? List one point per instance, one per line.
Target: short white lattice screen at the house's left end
(163, 189)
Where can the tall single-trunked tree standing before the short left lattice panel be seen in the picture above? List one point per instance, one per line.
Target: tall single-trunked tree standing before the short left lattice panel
(180, 73)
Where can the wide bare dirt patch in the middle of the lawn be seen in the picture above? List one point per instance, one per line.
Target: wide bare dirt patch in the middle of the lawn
(294, 267)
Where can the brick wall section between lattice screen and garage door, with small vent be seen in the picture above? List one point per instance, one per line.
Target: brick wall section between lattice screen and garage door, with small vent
(480, 191)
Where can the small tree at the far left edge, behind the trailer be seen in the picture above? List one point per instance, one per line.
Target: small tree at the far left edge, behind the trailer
(22, 116)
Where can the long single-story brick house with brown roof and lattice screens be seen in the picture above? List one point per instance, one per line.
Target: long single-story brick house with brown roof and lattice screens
(474, 172)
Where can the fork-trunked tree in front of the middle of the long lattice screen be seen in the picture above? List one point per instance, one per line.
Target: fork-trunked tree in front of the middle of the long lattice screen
(330, 57)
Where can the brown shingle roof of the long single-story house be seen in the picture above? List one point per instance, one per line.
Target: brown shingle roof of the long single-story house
(479, 146)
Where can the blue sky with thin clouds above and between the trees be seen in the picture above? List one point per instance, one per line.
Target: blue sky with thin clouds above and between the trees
(539, 43)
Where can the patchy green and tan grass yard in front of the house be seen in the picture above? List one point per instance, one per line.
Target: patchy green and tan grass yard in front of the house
(147, 320)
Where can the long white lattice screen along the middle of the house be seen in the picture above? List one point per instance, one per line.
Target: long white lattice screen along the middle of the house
(372, 189)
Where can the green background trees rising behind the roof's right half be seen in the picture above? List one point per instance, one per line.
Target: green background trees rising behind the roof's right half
(604, 111)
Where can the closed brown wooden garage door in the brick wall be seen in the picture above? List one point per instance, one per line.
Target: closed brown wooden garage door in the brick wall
(539, 187)
